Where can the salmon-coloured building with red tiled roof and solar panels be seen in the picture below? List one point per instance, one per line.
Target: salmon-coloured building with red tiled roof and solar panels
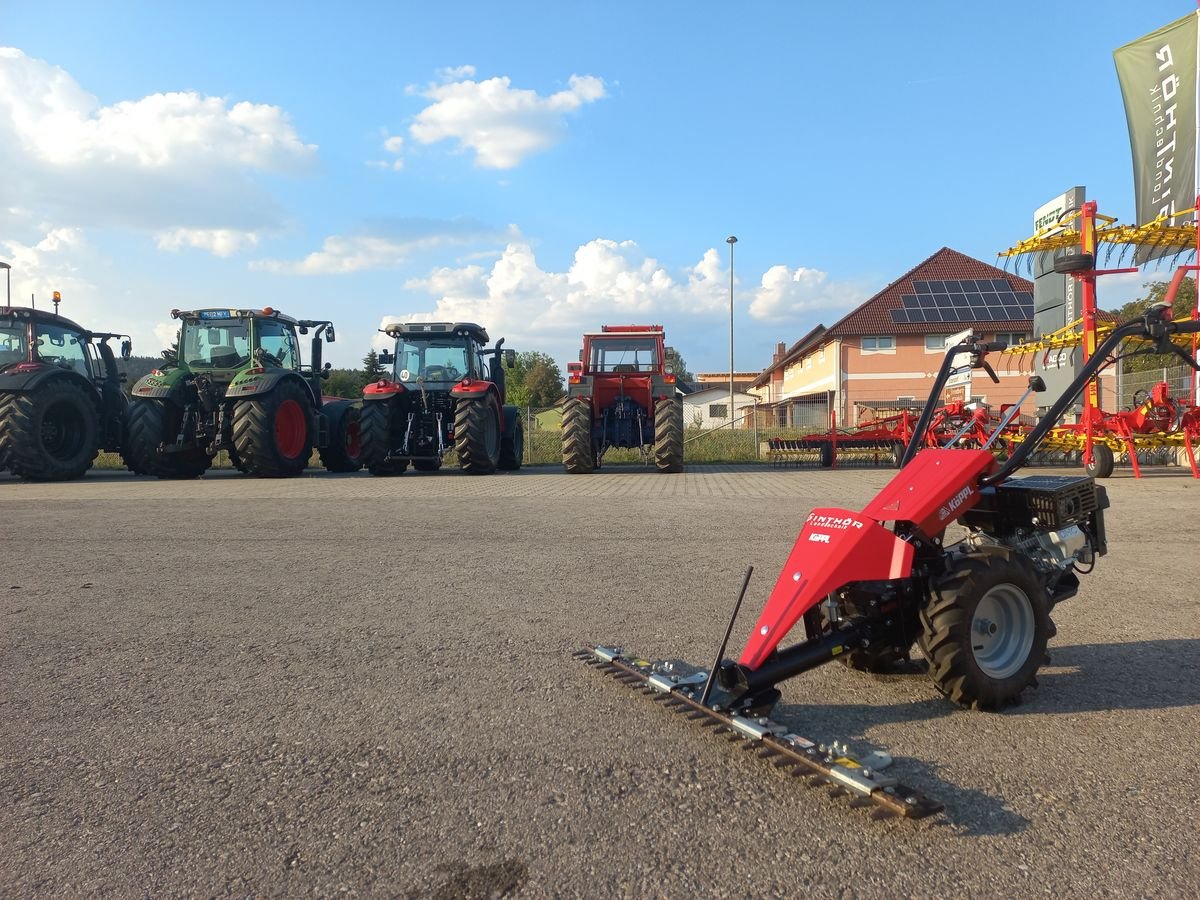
(885, 355)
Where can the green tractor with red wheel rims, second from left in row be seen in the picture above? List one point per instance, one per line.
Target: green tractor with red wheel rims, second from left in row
(237, 383)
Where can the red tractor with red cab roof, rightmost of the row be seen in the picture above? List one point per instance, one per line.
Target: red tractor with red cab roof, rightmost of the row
(622, 394)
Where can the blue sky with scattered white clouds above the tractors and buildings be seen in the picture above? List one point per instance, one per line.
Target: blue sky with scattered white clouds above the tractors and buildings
(543, 169)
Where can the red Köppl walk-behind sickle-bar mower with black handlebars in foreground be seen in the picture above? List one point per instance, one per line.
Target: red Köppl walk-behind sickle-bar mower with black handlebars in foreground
(871, 584)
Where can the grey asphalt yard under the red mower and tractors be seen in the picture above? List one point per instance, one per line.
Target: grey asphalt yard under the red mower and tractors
(239, 687)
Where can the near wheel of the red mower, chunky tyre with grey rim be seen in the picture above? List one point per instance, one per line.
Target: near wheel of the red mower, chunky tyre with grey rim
(986, 631)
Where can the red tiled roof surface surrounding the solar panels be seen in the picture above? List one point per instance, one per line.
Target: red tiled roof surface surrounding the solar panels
(873, 319)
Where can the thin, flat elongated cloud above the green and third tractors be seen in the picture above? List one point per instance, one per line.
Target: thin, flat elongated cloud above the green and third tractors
(382, 245)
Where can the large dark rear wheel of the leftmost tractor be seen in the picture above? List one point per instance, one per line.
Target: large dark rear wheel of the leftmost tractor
(51, 434)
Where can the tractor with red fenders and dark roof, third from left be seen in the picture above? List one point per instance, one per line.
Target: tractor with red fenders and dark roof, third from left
(447, 392)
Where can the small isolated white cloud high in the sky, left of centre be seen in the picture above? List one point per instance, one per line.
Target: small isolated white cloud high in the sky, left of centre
(501, 124)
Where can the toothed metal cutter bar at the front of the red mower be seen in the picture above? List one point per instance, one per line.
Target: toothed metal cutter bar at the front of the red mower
(681, 689)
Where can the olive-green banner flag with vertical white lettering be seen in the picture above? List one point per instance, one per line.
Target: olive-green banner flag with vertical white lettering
(1159, 85)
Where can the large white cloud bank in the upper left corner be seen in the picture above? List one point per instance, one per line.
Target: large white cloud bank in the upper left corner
(166, 161)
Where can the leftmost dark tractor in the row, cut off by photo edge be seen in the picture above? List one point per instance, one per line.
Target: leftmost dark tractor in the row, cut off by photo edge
(61, 394)
